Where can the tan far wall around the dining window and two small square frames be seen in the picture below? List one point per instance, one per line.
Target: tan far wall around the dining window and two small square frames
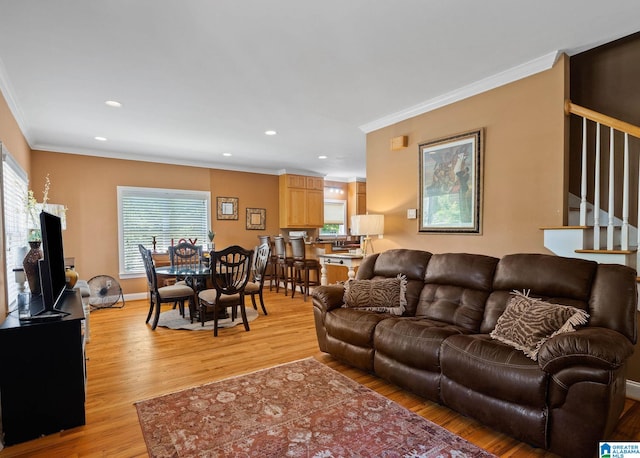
(87, 186)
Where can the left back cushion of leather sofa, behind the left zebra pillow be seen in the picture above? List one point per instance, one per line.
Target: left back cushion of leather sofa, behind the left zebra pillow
(410, 263)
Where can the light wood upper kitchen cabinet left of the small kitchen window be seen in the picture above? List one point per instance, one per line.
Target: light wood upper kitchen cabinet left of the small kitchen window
(301, 201)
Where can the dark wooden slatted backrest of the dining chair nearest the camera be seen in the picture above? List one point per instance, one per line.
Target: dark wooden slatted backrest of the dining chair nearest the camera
(232, 270)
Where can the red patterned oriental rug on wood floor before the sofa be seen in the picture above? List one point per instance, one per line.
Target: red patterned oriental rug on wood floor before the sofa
(299, 409)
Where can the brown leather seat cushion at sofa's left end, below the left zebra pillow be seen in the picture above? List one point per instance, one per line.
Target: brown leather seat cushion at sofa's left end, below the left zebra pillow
(351, 326)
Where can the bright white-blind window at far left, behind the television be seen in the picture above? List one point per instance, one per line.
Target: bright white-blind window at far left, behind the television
(14, 180)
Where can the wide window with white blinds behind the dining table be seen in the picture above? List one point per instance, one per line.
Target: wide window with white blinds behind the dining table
(166, 214)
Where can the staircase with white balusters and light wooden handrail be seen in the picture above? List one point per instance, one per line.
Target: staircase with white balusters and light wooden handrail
(595, 233)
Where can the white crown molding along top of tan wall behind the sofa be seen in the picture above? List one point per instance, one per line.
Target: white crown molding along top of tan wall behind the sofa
(532, 67)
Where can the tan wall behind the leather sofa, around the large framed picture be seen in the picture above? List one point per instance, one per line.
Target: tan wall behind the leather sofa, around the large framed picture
(524, 157)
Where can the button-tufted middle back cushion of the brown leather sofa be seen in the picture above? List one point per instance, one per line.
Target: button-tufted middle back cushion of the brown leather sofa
(456, 289)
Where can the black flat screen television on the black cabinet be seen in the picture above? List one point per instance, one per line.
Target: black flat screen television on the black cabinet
(52, 271)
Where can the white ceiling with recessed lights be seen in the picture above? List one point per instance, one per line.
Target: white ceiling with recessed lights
(199, 78)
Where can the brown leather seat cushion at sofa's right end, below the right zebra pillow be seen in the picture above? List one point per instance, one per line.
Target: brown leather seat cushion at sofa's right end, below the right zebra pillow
(484, 365)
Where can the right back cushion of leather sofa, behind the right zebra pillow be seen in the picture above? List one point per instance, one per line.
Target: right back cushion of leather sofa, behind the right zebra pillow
(555, 279)
